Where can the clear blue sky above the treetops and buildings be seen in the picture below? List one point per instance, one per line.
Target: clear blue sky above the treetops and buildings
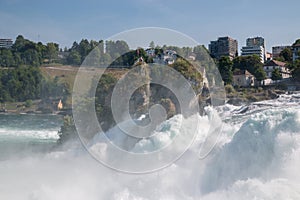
(65, 21)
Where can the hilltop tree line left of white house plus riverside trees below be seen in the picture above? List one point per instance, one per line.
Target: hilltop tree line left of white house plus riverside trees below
(20, 75)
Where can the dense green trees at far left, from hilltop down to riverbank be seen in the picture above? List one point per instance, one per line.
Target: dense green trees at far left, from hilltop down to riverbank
(20, 76)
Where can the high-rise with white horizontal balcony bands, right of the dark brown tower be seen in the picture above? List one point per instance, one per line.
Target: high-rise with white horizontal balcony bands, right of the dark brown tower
(255, 46)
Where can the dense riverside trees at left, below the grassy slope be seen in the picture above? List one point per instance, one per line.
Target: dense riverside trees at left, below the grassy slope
(27, 83)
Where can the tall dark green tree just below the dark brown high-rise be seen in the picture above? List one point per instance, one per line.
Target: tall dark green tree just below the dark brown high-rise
(225, 67)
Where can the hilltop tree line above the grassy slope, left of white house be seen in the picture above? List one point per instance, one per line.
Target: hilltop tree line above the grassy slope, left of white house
(28, 53)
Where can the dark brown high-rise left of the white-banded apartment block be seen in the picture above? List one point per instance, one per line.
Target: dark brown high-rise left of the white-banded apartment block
(224, 46)
